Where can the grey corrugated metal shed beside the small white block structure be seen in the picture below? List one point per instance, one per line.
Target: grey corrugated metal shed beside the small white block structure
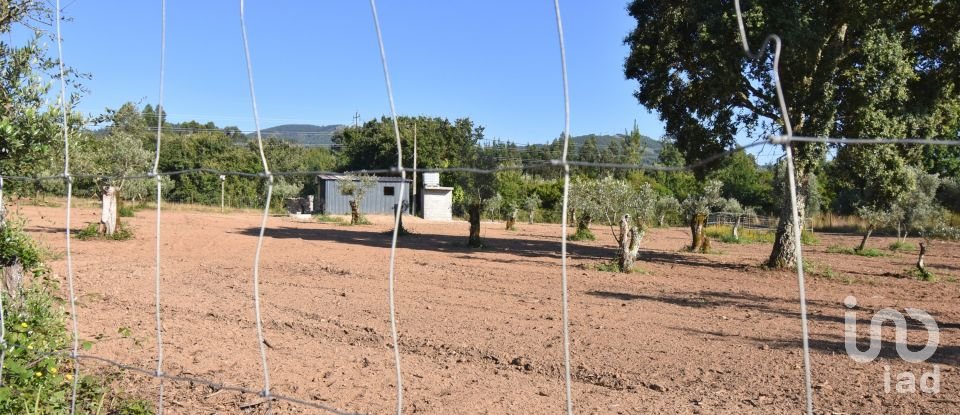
(379, 199)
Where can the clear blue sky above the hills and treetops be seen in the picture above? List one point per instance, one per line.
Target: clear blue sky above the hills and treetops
(317, 62)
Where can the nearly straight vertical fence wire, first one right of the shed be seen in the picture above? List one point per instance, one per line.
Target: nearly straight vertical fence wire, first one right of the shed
(563, 221)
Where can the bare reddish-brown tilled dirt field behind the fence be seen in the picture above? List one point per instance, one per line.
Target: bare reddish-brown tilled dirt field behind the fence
(481, 329)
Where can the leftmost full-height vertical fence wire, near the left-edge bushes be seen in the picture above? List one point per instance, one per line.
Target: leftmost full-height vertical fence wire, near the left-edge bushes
(69, 183)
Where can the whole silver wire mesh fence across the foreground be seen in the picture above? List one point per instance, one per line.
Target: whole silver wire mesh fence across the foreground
(563, 165)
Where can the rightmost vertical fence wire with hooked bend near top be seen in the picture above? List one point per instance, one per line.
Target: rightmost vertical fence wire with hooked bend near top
(791, 179)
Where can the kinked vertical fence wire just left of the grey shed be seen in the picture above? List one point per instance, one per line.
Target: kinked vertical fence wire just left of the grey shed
(266, 212)
